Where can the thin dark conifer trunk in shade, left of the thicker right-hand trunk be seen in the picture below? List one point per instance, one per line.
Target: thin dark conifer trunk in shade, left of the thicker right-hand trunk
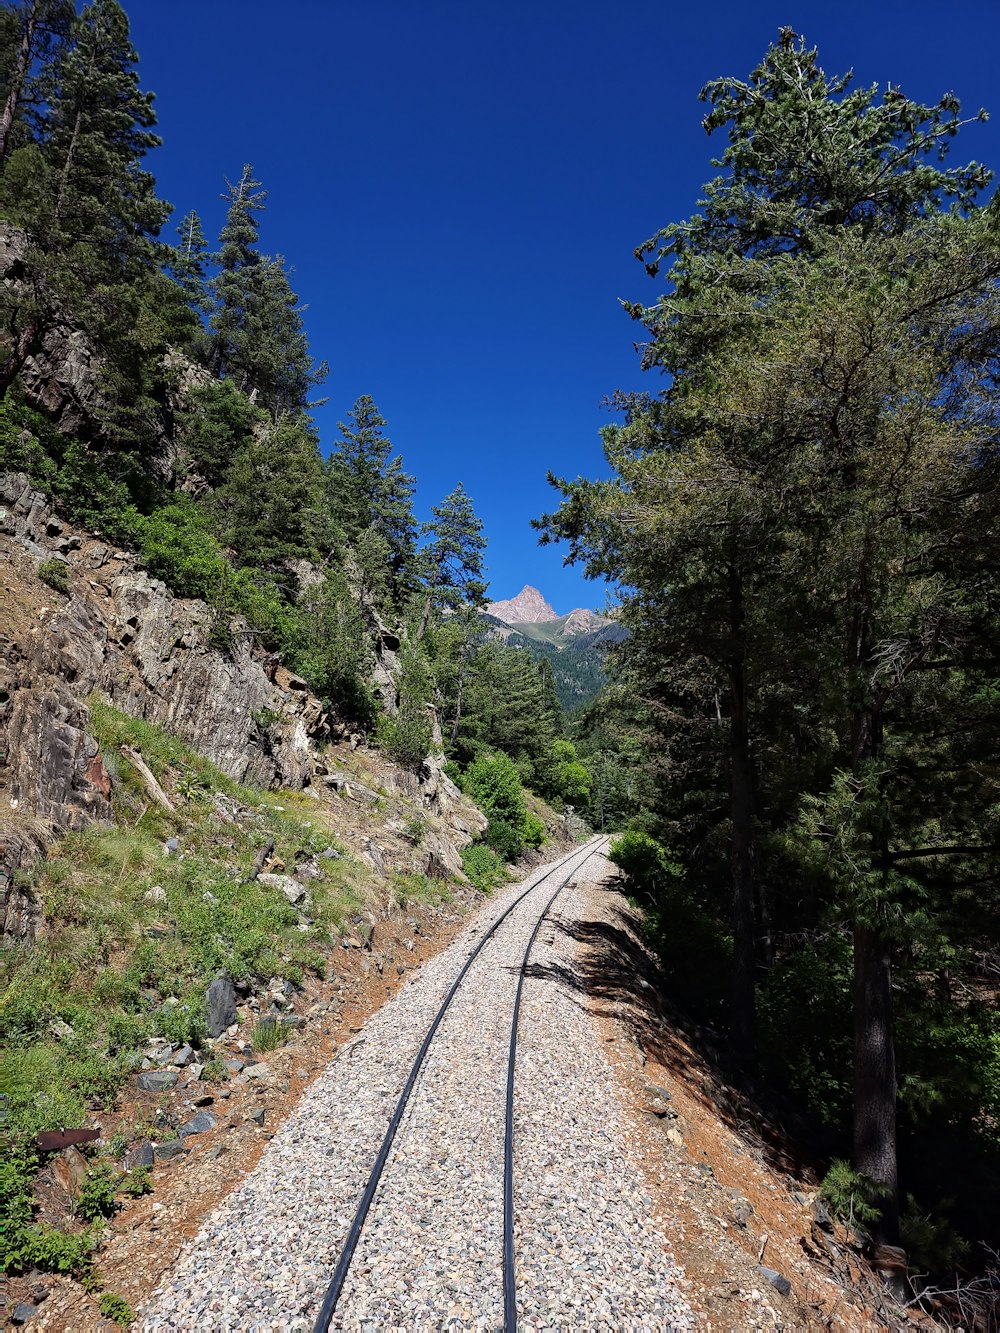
(743, 1035)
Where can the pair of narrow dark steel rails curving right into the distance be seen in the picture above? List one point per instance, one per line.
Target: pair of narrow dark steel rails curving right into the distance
(571, 864)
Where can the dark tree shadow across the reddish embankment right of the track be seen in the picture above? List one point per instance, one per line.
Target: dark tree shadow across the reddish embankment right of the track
(615, 976)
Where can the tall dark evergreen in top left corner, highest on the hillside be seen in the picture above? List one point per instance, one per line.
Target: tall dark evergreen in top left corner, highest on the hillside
(93, 218)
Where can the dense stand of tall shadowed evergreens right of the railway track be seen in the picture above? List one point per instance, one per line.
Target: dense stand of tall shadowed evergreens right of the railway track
(805, 509)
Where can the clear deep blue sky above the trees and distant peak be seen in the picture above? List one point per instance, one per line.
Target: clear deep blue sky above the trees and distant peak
(461, 186)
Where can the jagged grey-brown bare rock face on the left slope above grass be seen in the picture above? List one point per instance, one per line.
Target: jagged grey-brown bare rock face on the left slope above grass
(125, 635)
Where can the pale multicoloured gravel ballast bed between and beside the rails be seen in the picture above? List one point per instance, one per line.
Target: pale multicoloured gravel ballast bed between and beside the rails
(589, 1255)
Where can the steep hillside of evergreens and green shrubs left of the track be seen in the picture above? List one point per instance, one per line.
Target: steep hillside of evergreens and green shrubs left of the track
(161, 394)
